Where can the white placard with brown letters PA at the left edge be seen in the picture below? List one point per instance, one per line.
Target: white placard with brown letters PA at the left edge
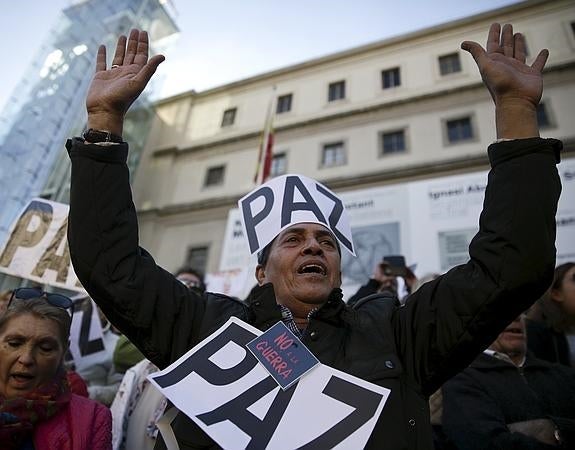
(37, 248)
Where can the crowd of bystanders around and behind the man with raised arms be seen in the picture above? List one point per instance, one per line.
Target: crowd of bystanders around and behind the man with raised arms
(518, 393)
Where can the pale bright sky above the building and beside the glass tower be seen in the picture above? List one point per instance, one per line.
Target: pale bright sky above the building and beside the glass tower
(227, 40)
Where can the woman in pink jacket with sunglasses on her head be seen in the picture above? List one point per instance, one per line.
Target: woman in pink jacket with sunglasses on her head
(37, 409)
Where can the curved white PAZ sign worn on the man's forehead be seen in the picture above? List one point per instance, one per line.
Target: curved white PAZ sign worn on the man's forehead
(291, 199)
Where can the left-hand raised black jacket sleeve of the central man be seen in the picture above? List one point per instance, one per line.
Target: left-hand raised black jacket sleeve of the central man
(157, 312)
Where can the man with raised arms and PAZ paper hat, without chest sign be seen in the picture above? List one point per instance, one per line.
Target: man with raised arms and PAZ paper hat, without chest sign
(299, 228)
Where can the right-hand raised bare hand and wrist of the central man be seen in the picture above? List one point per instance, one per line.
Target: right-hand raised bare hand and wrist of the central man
(515, 87)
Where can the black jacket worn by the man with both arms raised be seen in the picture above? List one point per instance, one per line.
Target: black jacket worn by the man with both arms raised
(411, 349)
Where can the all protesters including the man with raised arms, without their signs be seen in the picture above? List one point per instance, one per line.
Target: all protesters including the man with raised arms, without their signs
(466, 345)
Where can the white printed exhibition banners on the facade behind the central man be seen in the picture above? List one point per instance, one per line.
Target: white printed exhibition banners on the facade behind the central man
(430, 222)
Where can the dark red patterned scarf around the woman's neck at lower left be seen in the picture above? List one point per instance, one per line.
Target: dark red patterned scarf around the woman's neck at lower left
(19, 415)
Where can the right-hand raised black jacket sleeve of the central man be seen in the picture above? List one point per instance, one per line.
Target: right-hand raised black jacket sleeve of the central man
(448, 321)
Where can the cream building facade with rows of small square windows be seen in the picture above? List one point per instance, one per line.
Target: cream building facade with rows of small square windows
(399, 128)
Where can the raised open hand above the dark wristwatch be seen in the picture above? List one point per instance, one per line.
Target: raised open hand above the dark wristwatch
(113, 90)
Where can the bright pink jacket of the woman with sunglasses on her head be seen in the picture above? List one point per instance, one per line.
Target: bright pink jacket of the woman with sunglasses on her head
(84, 425)
